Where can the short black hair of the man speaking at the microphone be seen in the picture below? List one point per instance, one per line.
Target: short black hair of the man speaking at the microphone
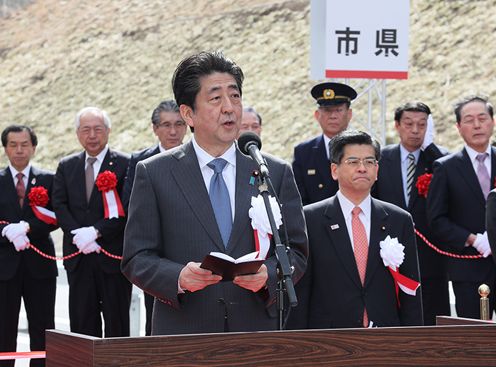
(186, 78)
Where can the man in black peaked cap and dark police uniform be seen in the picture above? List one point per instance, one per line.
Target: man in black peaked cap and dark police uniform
(311, 160)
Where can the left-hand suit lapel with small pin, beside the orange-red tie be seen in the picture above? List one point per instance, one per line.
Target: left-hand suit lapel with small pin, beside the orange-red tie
(340, 239)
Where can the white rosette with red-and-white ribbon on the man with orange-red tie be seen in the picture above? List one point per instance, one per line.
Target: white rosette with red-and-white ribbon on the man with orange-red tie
(392, 254)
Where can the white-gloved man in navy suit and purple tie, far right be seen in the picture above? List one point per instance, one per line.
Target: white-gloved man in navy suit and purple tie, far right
(456, 204)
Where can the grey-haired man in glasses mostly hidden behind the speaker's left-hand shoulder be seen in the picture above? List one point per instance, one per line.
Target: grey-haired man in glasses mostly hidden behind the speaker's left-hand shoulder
(170, 129)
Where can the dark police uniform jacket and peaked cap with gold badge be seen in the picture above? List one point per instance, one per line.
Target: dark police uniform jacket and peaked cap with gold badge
(311, 163)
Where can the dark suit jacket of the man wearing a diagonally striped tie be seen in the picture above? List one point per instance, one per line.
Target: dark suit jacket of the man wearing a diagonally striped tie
(389, 187)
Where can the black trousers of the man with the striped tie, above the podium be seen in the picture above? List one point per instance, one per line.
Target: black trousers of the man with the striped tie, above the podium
(435, 298)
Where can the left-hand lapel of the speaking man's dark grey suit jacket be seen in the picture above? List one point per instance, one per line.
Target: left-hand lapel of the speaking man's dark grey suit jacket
(190, 181)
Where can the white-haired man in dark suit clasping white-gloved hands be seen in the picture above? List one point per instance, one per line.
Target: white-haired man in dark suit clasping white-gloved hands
(96, 285)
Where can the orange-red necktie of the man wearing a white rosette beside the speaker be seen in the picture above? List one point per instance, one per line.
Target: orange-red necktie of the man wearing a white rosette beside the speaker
(361, 250)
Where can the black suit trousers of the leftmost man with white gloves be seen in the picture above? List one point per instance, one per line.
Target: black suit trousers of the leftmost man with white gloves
(39, 301)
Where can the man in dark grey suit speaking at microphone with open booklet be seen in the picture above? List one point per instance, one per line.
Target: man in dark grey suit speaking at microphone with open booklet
(175, 215)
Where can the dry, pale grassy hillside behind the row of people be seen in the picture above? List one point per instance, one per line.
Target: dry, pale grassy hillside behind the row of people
(57, 56)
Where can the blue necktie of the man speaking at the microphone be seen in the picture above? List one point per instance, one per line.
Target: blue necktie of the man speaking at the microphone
(219, 197)
